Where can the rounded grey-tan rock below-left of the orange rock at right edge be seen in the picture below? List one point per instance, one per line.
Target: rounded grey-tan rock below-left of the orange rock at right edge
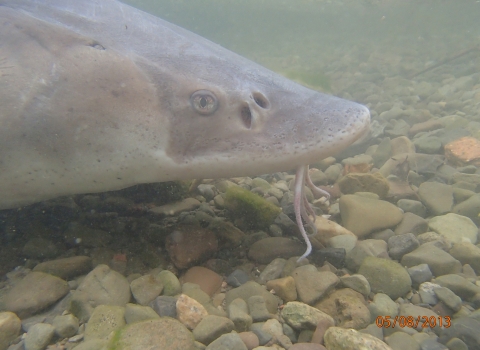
(437, 197)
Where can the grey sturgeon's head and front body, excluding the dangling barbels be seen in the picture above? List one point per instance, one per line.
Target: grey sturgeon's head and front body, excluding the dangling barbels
(97, 96)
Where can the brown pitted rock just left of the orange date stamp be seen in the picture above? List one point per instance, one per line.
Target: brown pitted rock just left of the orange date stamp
(347, 307)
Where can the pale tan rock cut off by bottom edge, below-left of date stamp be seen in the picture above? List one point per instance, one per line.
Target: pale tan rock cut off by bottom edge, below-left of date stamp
(337, 338)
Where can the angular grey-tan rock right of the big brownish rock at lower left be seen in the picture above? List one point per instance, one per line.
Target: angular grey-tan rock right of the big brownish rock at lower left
(102, 286)
